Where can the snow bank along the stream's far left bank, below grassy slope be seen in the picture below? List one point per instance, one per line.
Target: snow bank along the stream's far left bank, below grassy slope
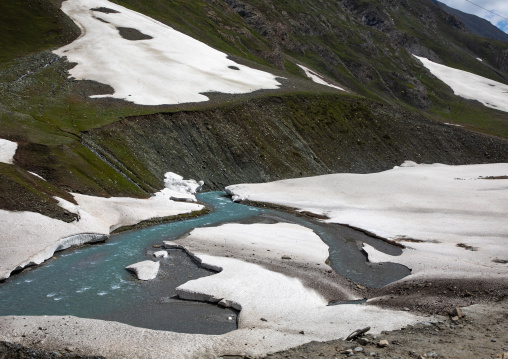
(31, 238)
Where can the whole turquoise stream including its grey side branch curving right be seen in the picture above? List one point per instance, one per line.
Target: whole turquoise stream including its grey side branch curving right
(91, 281)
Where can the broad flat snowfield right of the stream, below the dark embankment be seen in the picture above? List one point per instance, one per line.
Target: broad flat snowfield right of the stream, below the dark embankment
(440, 205)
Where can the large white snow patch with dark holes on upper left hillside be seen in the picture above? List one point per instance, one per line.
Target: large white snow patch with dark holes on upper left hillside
(170, 68)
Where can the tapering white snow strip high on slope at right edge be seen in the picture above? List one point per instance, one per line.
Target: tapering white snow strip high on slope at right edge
(490, 93)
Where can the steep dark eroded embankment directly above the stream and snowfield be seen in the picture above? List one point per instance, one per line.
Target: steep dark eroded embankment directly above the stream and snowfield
(283, 137)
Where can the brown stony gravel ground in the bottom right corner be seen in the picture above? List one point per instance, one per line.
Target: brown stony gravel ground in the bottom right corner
(481, 333)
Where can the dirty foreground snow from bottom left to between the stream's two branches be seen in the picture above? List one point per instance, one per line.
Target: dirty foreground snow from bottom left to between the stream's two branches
(277, 310)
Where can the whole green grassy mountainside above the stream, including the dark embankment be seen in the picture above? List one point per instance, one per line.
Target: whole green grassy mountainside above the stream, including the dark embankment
(364, 45)
